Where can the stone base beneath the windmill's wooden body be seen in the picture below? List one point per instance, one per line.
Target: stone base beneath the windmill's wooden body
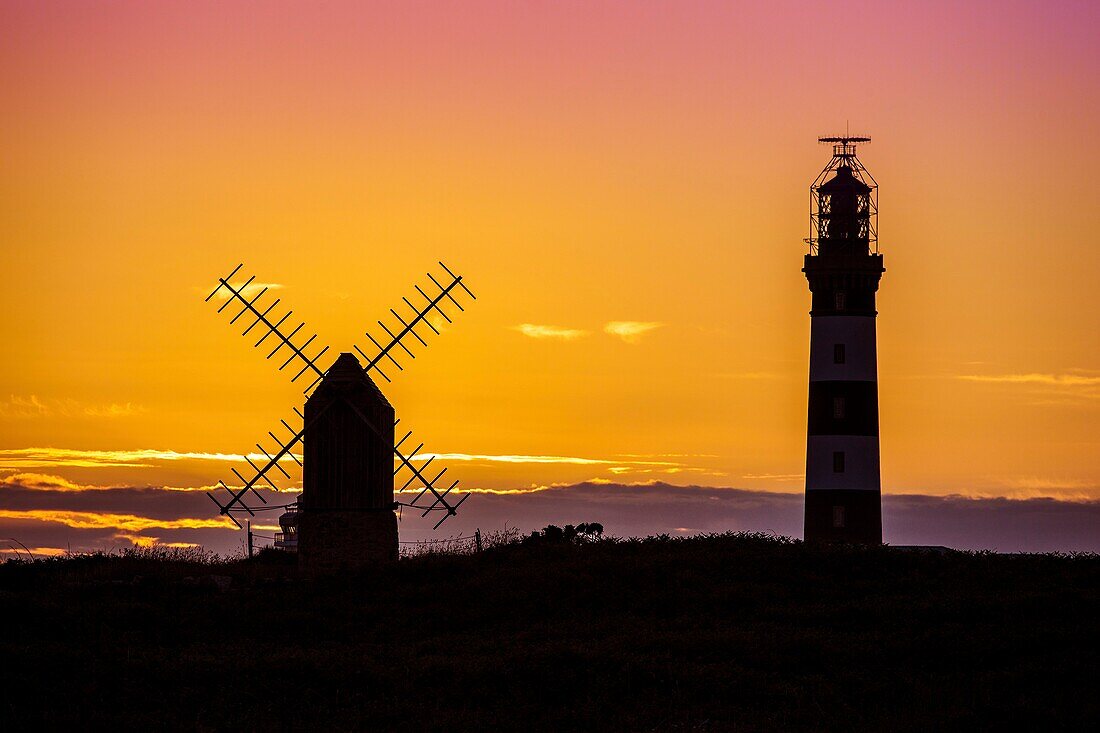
(337, 541)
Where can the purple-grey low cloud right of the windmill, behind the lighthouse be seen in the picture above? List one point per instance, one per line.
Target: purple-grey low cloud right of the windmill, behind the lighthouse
(1033, 526)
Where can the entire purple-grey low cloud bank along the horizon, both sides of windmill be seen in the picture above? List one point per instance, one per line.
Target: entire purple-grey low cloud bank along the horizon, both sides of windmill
(35, 517)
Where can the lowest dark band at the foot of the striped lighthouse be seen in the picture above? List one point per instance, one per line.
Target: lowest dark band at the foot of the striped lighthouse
(844, 516)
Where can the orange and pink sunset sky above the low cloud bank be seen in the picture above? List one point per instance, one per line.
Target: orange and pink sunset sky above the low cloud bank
(581, 165)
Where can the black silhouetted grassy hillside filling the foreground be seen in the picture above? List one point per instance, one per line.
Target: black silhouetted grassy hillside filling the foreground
(716, 633)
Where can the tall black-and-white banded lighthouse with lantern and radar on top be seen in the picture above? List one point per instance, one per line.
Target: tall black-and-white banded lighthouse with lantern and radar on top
(844, 269)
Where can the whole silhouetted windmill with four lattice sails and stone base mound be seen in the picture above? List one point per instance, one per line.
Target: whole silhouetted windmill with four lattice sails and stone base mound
(348, 432)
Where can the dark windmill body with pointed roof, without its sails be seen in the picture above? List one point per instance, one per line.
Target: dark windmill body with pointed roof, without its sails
(346, 513)
